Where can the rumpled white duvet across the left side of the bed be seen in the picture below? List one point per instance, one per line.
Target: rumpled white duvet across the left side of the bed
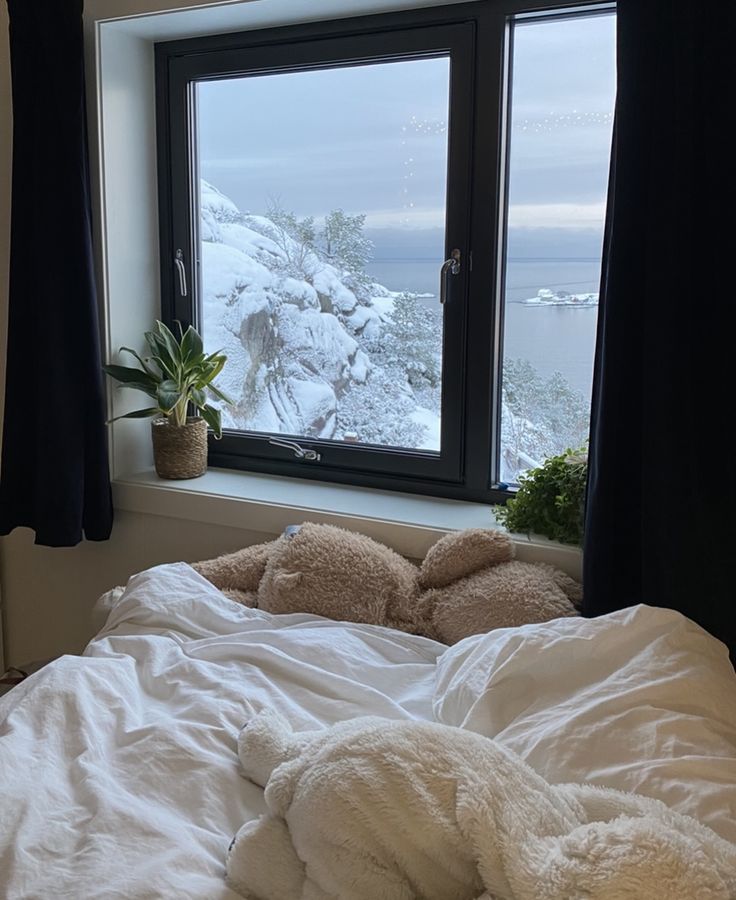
(118, 771)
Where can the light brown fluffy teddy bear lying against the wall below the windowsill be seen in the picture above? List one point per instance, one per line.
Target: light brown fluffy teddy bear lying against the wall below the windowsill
(469, 582)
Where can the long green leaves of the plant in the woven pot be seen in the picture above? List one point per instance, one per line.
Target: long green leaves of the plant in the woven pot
(177, 375)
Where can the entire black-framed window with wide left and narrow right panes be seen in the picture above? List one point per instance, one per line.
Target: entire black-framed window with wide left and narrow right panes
(333, 216)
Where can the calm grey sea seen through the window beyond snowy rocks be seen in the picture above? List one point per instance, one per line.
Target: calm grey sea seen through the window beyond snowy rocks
(554, 339)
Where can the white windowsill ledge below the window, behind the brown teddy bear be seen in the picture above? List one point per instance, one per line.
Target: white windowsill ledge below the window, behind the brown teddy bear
(409, 523)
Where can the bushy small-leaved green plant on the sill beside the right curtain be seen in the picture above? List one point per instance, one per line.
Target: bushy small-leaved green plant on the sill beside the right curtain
(550, 499)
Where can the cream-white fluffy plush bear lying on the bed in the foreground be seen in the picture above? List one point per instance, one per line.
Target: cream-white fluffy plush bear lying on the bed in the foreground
(373, 809)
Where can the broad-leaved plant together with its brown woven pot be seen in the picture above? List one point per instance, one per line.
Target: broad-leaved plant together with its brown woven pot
(179, 377)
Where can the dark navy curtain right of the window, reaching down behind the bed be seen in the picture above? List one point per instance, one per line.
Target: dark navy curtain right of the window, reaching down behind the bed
(662, 492)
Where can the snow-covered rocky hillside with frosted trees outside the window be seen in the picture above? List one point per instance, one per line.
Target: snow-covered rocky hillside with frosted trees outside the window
(316, 349)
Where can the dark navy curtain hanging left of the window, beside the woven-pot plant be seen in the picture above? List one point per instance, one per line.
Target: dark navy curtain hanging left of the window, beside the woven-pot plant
(54, 477)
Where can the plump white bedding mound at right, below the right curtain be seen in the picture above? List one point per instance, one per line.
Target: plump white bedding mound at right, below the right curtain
(642, 700)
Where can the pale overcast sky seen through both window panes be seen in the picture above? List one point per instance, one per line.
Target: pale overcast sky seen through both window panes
(373, 138)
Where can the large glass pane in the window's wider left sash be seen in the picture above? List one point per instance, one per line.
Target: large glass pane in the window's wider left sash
(322, 215)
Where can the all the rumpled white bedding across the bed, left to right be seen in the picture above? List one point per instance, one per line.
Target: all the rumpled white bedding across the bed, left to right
(118, 768)
